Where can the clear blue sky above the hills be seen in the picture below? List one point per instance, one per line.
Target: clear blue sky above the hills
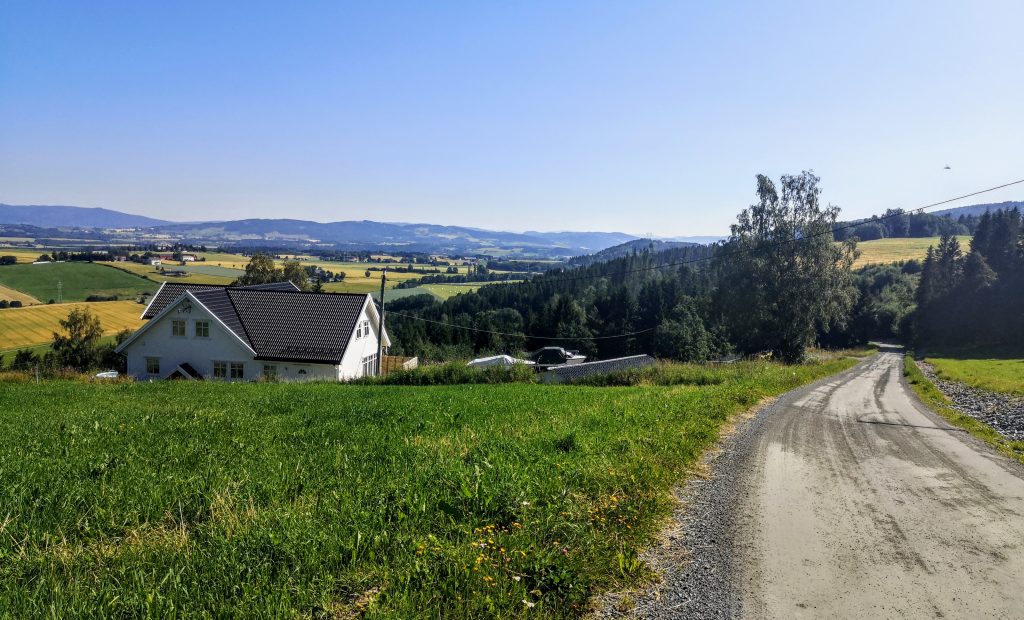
(642, 117)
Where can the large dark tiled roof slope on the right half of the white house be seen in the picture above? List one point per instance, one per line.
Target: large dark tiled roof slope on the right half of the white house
(308, 327)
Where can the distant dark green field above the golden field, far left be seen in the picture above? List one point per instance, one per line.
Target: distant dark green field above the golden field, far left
(79, 281)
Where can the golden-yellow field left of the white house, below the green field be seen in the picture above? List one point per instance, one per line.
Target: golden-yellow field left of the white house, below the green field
(23, 327)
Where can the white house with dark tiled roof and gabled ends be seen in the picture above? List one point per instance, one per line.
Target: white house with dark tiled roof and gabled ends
(242, 334)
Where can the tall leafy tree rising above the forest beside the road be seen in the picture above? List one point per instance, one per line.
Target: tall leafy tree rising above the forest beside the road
(783, 277)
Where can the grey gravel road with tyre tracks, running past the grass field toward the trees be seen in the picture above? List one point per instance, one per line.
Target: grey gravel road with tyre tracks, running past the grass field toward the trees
(845, 500)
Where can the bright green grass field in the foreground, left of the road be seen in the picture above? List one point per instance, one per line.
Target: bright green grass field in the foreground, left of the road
(330, 501)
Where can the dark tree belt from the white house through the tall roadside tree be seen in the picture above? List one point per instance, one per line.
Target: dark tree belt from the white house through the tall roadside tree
(775, 285)
